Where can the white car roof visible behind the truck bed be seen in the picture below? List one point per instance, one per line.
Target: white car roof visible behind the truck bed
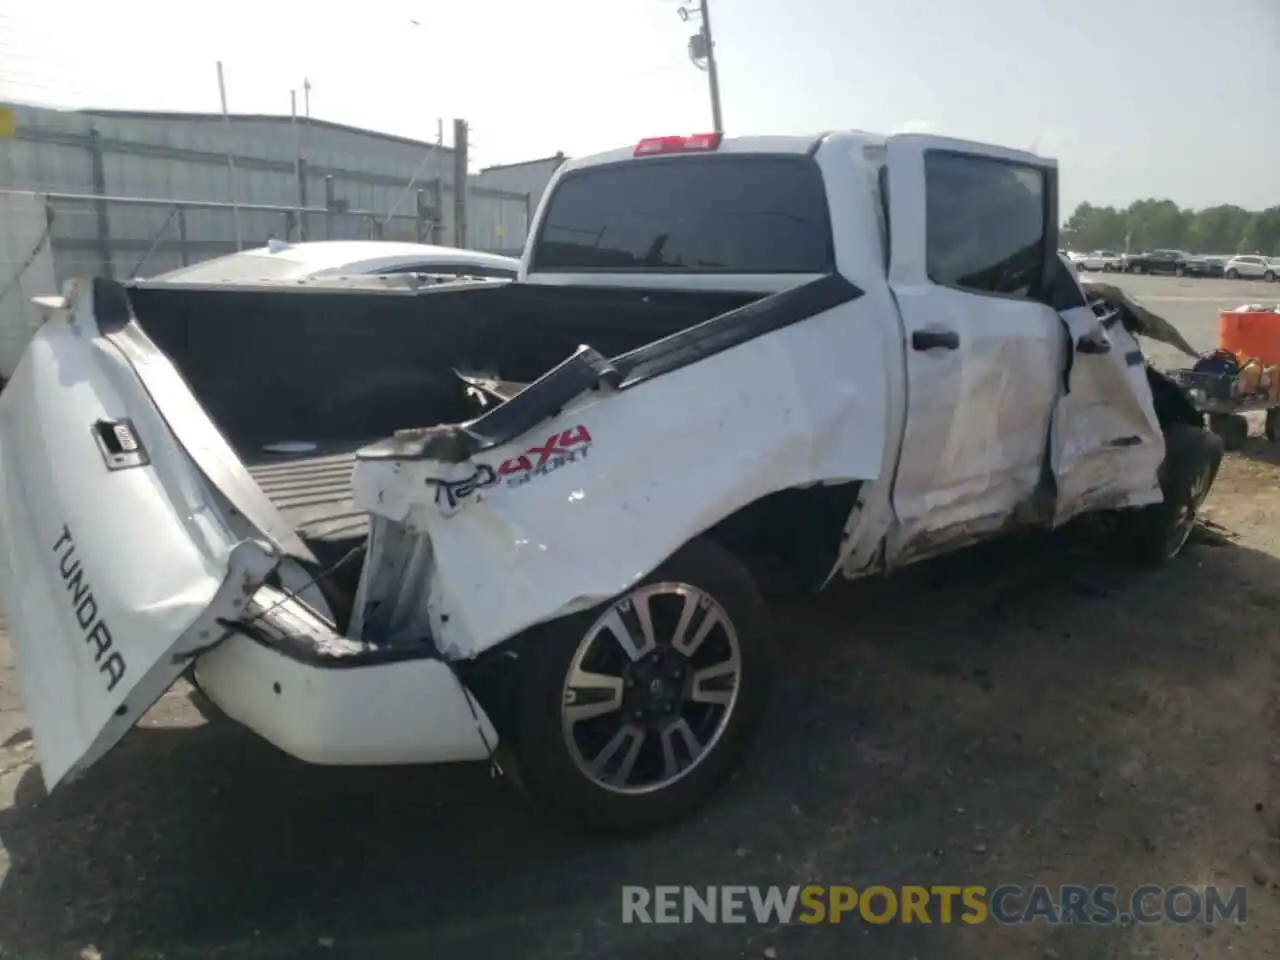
(299, 262)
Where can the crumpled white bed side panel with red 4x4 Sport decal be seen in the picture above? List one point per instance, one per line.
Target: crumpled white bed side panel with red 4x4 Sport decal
(589, 502)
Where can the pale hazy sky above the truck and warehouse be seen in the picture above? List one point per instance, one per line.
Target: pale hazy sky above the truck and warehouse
(1133, 98)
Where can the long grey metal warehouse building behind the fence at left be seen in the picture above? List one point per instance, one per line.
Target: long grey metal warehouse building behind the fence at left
(135, 194)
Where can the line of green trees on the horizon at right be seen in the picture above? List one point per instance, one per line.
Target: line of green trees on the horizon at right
(1162, 225)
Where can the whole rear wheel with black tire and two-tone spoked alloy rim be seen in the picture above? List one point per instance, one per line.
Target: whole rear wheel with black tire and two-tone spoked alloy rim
(633, 714)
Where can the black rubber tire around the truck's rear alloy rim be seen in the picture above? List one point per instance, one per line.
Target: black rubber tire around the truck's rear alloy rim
(547, 766)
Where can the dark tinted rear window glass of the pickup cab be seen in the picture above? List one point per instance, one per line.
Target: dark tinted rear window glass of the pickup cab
(702, 214)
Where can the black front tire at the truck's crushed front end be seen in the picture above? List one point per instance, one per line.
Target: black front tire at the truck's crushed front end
(1155, 536)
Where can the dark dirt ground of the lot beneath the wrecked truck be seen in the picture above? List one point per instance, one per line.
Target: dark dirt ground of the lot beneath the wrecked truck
(1043, 717)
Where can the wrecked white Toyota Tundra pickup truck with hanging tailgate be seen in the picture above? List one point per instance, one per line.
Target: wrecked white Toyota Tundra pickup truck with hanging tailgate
(381, 524)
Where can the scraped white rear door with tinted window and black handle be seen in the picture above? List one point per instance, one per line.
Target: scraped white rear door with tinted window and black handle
(973, 241)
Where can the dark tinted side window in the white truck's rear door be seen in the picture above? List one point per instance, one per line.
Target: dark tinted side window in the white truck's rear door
(985, 225)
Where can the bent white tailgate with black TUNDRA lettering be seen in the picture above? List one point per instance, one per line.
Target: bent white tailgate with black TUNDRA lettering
(113, 575)
